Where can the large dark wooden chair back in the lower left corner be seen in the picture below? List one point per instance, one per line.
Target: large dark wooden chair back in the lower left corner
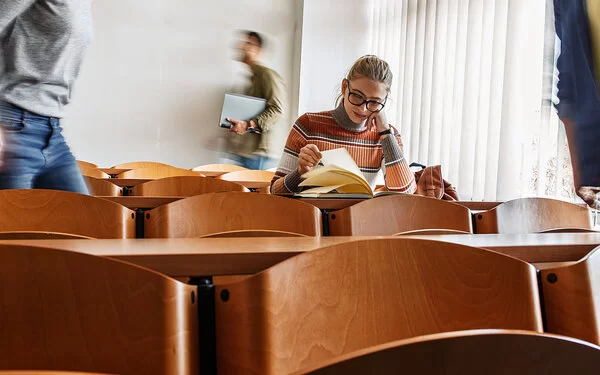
(63, 310)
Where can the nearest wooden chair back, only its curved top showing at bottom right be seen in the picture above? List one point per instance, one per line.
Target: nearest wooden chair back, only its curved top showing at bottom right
(490, 352)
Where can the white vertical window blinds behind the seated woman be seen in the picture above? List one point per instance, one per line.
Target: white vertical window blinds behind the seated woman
(473, 92)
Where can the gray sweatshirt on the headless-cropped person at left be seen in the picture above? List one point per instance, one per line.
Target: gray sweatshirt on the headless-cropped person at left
(42, 44)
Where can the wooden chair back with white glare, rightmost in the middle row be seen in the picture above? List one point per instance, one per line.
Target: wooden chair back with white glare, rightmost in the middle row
(530, 215)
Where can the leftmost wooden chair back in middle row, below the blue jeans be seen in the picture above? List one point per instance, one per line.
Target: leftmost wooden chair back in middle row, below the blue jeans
(32, 210)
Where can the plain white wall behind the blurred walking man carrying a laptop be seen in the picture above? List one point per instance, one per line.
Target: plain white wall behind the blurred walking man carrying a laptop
(153, 82)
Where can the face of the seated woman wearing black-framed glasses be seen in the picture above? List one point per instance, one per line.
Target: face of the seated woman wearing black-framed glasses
(364, 88)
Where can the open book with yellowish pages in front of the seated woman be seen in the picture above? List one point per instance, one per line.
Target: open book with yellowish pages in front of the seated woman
(338, 177)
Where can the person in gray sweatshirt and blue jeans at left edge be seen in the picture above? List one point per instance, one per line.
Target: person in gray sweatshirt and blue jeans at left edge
(42, 45)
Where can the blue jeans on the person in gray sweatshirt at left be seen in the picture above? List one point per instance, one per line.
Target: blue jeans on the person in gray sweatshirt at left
(34, 154)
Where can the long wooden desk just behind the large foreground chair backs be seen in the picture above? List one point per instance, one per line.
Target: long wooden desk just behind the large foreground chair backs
(238, 256)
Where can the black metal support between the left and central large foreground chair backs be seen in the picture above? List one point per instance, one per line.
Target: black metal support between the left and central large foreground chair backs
(206, 324)
